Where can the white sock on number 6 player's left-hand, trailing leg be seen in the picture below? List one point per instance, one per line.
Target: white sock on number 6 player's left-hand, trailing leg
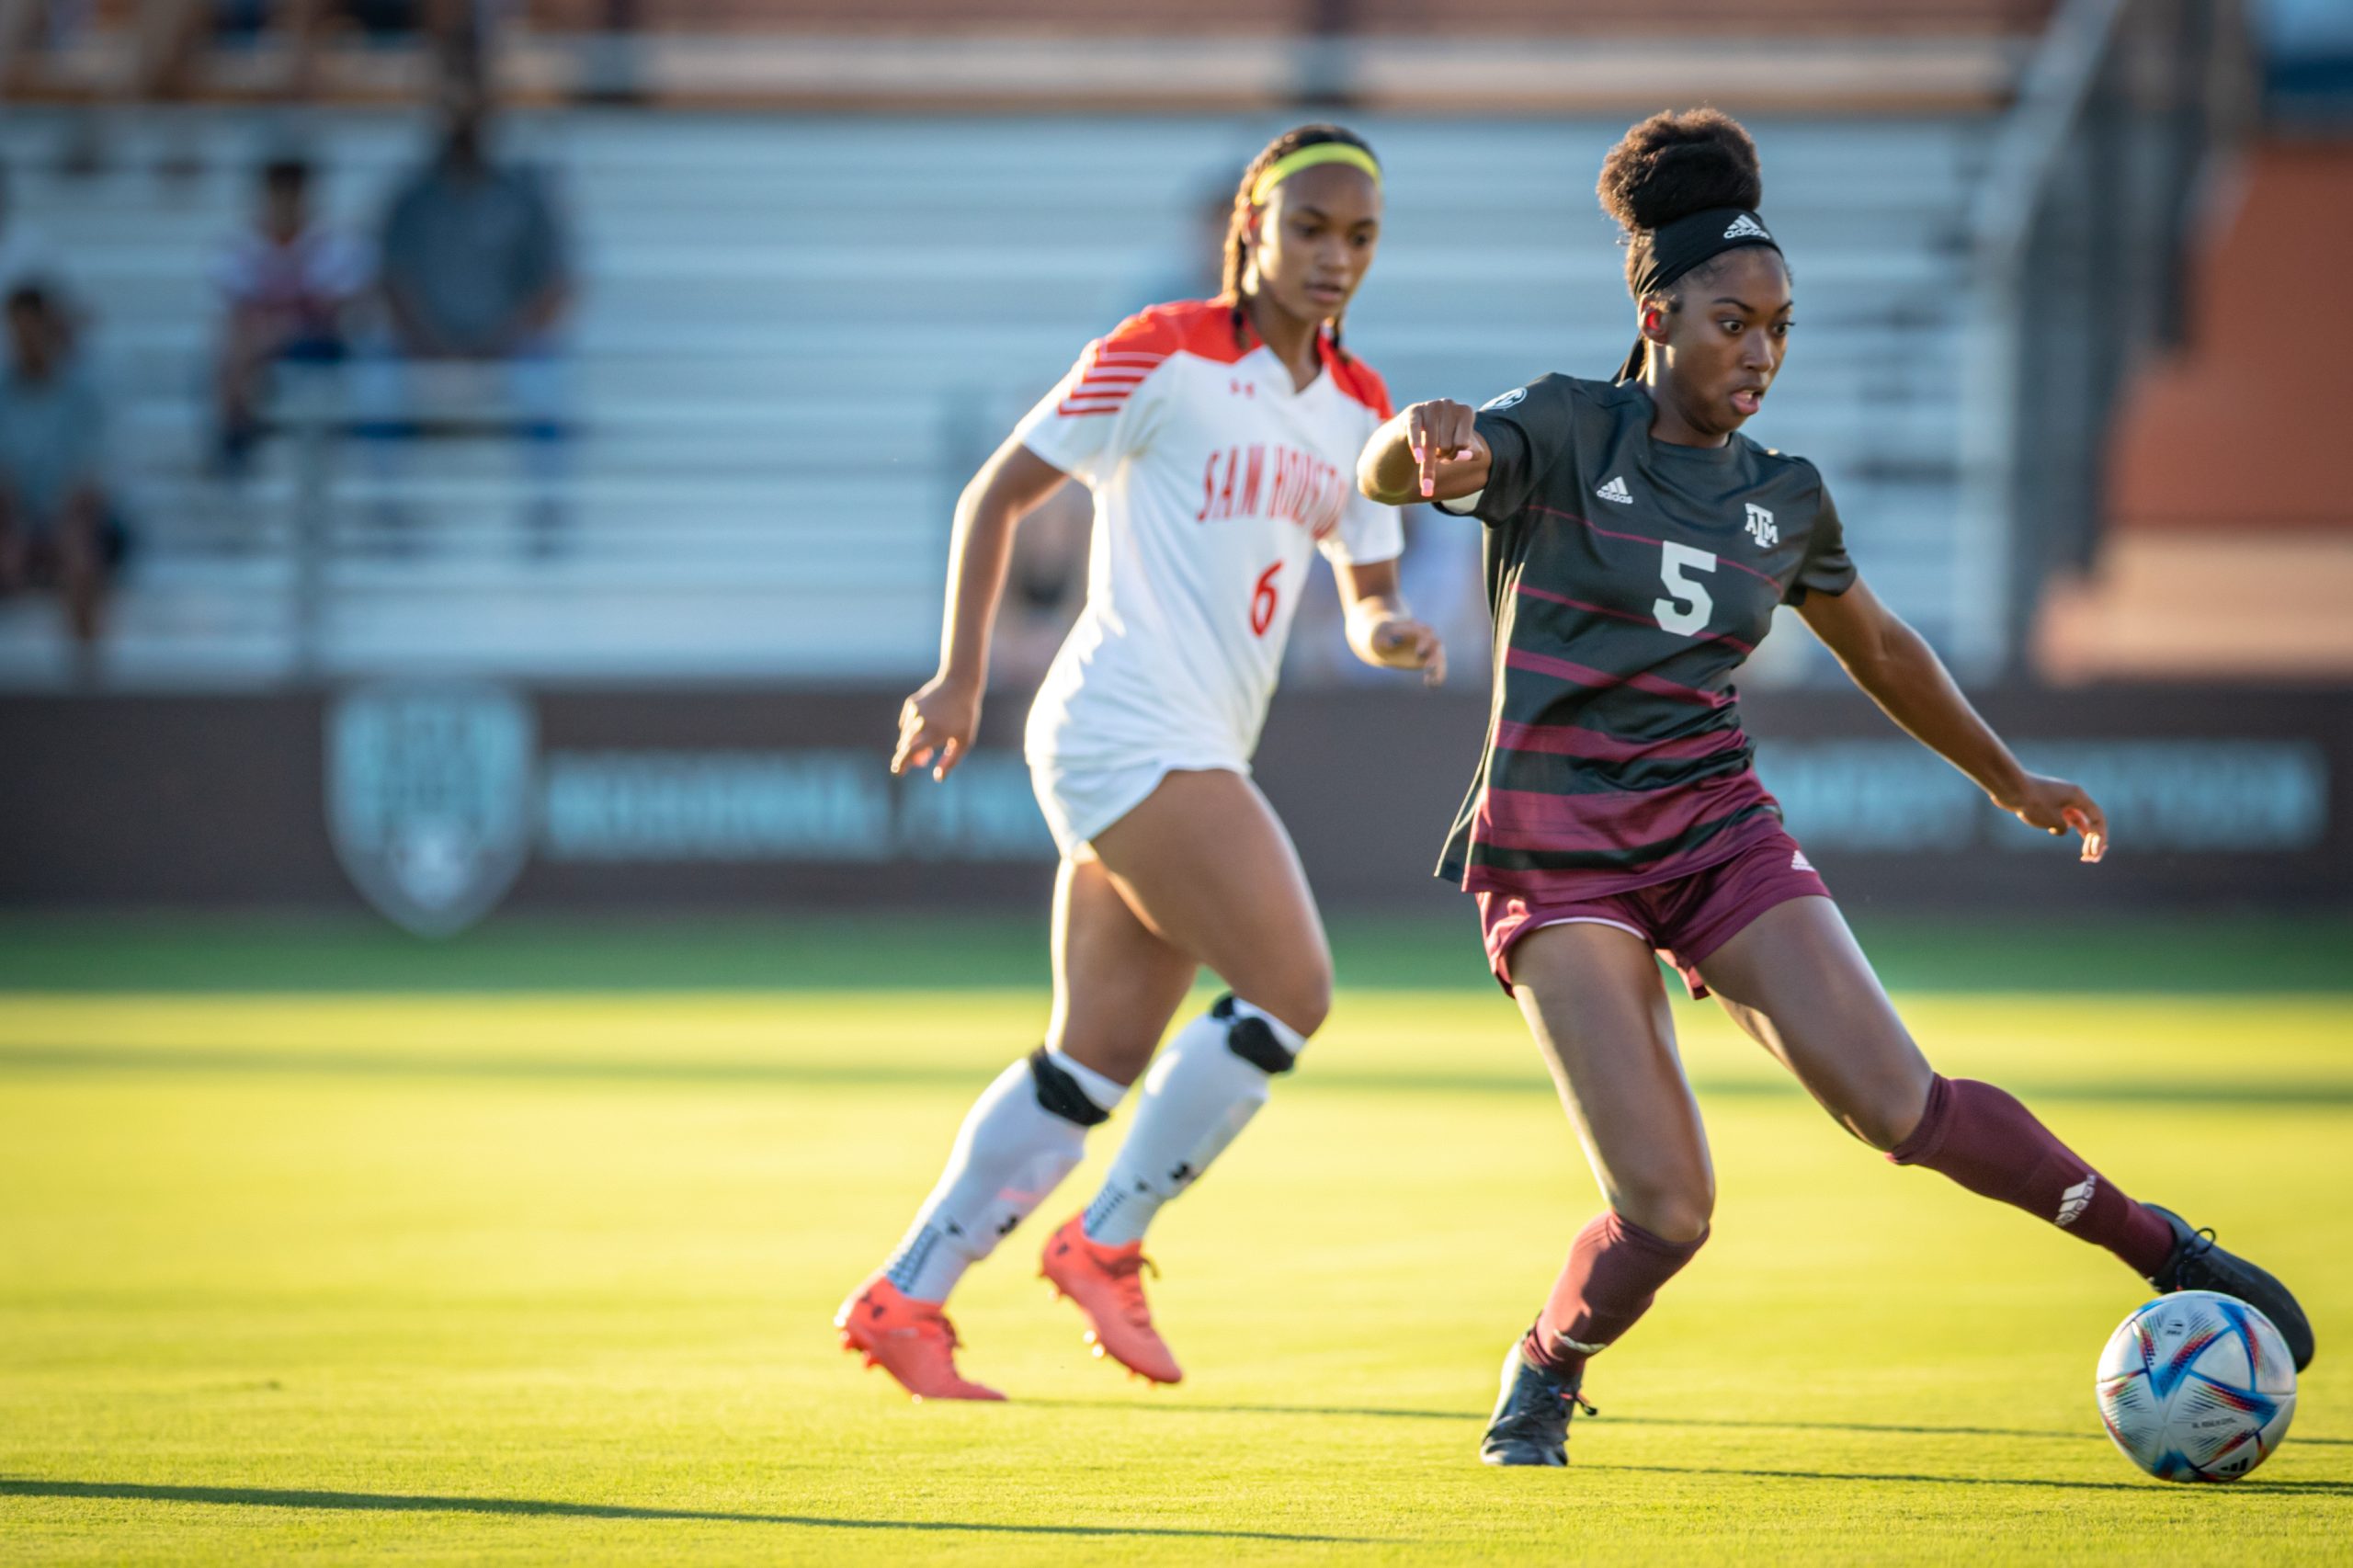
(1008, 1157)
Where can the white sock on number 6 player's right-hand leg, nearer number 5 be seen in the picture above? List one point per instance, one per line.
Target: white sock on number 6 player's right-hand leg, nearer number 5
(1197, 1098)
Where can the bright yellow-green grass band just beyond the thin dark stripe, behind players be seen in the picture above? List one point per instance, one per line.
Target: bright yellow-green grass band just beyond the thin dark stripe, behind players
(2279, 1051)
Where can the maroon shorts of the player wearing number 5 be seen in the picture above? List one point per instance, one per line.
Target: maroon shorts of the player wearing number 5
(1684, 919)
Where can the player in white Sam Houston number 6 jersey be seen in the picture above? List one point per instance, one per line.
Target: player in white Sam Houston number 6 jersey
(1220, 441)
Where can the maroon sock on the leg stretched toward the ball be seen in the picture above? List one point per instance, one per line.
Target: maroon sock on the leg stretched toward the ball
(1994, 1145)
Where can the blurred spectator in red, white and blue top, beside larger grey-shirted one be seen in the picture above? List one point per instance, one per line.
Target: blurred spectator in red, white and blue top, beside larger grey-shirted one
(288, 288)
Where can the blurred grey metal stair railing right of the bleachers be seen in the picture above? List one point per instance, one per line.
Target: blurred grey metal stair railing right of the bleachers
(2079, 248)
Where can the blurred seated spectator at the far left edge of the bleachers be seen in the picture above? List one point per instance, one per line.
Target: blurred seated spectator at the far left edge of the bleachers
(55, 526)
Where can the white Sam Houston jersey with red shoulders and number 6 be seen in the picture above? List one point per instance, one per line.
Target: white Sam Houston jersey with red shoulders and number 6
(1213, 477)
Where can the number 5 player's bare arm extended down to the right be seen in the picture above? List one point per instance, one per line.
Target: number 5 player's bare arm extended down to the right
(1909, 682)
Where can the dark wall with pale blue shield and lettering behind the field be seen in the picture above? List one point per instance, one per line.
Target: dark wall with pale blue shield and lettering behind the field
(453, 799)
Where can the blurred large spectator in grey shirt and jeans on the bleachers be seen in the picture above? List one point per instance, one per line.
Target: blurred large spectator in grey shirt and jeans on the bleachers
(476, 281)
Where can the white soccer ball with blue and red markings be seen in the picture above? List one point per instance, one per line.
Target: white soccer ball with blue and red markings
(2197, 1388)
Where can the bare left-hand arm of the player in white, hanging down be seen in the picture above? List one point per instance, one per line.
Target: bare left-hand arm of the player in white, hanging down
(940, 717)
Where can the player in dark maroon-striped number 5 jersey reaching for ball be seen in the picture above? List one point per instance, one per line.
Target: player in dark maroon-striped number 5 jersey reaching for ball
(1637, 547)
